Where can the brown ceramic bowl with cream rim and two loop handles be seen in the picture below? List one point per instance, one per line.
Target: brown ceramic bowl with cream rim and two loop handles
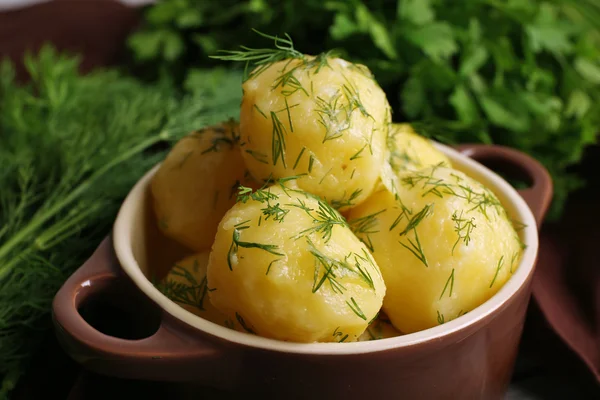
(470, 357)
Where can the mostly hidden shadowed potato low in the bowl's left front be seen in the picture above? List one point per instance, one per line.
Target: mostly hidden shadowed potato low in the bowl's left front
(186, 285)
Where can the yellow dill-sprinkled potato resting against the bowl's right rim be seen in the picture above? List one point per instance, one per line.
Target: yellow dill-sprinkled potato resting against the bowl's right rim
(444, 244)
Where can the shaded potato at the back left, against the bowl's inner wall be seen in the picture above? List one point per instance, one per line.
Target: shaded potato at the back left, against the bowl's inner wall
(197, 183)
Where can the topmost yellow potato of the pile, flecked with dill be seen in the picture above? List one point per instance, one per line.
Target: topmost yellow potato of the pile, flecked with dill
(320, 117)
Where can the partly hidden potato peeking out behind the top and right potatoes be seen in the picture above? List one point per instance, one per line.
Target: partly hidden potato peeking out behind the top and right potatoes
(411, 151)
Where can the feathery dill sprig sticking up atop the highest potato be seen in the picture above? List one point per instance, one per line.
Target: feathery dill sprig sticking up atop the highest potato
(262, 59)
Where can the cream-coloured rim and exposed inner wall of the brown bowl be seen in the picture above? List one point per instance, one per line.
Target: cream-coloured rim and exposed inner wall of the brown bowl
(143, 251)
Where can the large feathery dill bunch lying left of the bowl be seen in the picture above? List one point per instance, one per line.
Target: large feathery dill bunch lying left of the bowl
(71, 147)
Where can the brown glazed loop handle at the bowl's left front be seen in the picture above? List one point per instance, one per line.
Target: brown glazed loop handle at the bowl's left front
(172, 353)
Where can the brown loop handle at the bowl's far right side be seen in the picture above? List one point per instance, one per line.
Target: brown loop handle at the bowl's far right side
(539, 195)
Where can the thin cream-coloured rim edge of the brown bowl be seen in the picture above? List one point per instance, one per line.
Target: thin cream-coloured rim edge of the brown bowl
(122, 233)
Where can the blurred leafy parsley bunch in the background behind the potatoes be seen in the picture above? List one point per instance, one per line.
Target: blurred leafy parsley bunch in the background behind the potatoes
(522, 73)
